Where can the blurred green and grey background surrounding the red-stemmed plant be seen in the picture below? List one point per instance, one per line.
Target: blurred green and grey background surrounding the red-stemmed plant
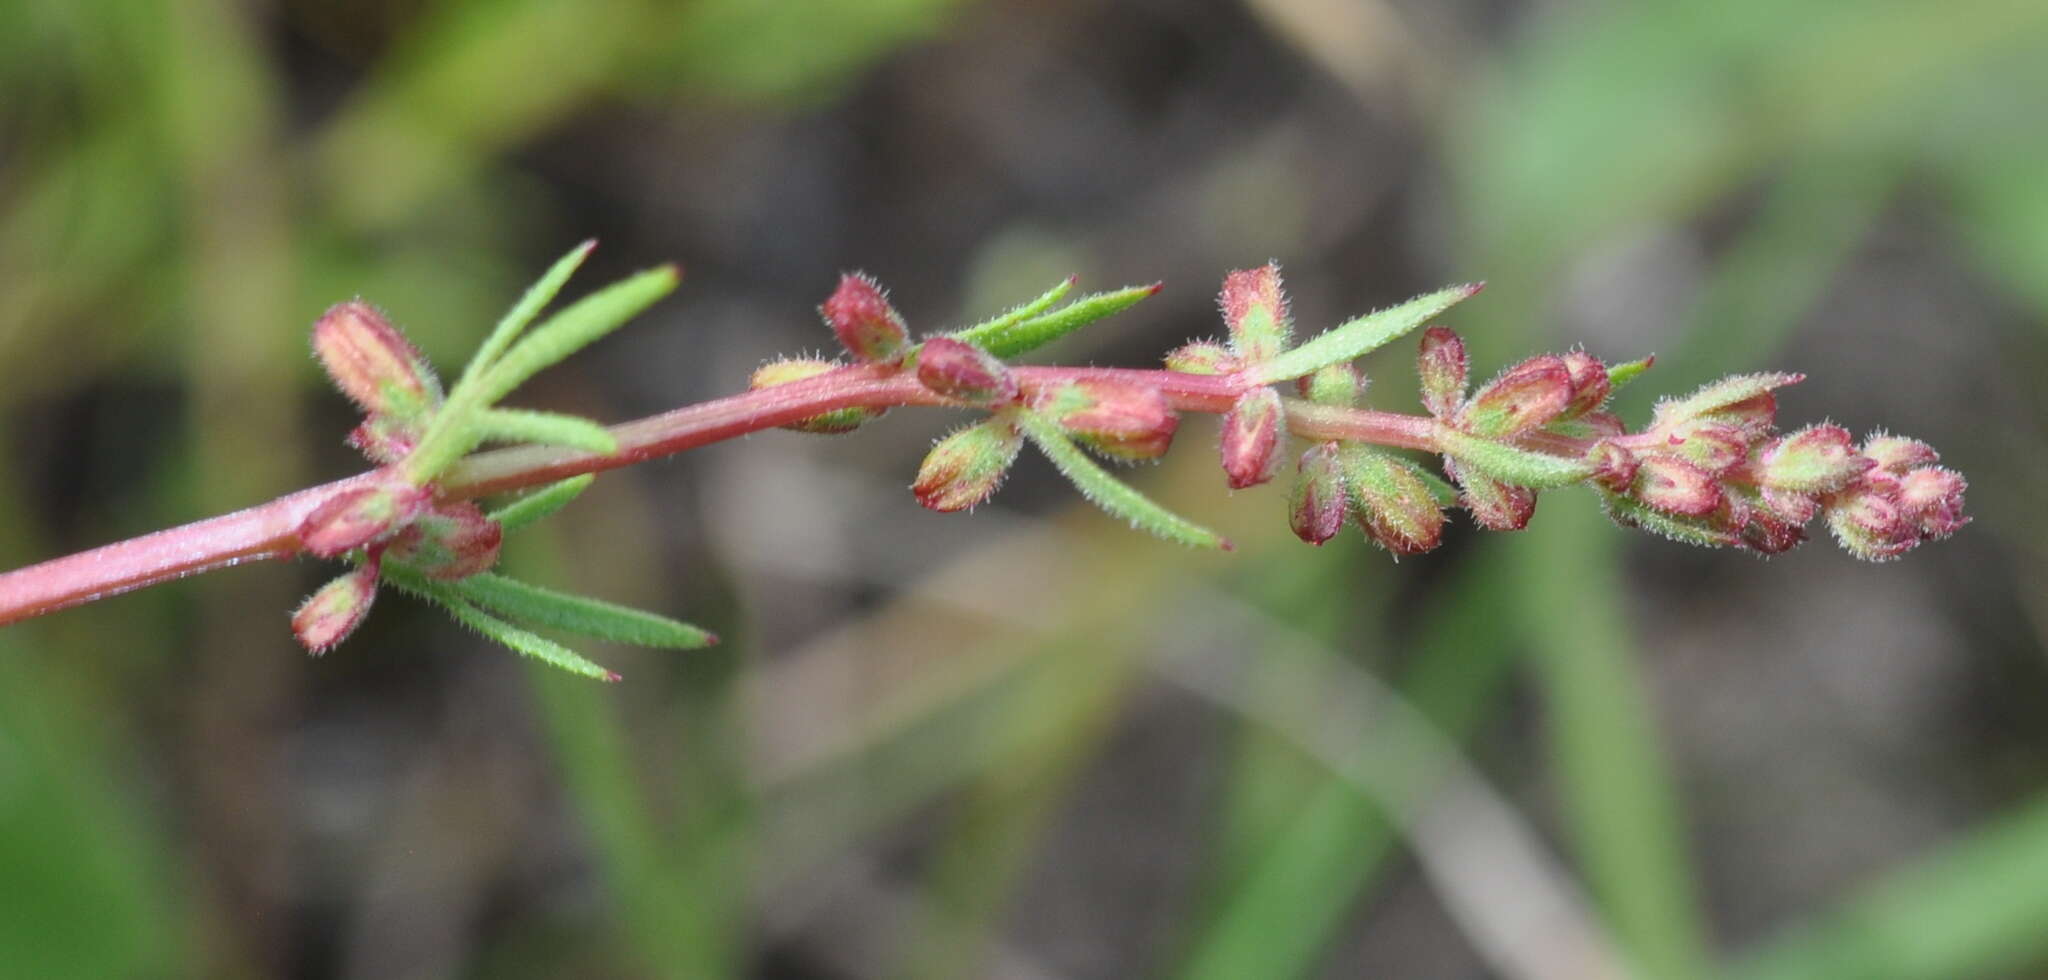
(1027, 744)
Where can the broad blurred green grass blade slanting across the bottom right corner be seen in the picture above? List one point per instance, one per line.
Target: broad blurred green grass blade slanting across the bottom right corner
(1971, 909)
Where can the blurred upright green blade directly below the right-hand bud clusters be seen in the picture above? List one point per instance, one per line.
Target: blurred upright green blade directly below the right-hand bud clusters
(1617, 787)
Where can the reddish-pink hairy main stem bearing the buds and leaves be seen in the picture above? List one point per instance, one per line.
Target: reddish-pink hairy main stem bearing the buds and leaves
(271, 531)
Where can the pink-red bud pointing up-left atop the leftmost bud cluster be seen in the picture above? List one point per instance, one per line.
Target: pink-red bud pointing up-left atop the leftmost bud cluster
(374, 363)
